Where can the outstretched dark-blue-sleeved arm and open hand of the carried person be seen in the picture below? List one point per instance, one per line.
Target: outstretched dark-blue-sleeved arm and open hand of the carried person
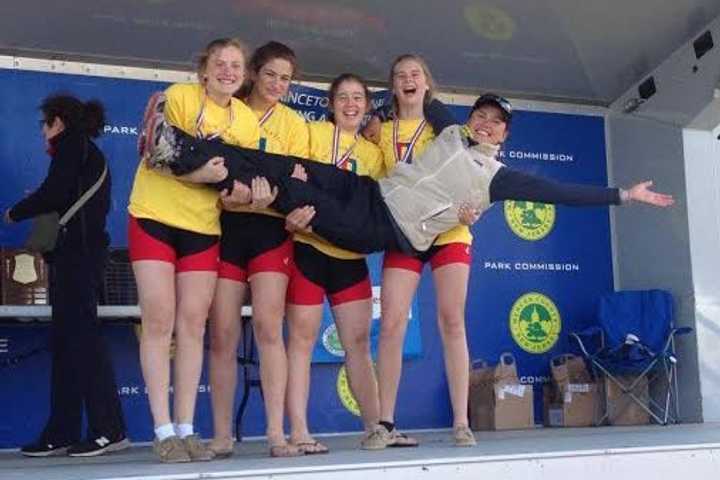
(510, 184)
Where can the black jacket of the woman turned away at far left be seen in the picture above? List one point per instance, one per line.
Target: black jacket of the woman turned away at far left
(70, 174)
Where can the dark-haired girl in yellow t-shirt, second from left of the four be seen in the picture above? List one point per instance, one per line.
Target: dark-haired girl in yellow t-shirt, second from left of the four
(256, 251)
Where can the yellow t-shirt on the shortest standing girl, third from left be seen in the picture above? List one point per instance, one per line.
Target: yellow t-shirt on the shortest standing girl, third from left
(365, 159)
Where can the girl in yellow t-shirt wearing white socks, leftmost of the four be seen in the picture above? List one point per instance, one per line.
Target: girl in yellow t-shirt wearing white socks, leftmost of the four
(173, 242)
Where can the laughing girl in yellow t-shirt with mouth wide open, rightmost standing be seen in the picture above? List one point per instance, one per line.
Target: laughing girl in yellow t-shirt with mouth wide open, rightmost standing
(402, 140)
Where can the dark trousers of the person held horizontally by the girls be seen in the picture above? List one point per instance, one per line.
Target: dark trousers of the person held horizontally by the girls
(350, 210)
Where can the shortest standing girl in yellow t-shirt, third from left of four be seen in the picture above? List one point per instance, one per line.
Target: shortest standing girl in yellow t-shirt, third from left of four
(324, 270)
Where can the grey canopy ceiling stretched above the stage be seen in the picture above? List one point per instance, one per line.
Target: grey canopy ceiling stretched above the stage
(579, 51)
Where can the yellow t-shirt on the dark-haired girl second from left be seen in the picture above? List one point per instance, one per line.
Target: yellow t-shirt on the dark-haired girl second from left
(285, 132)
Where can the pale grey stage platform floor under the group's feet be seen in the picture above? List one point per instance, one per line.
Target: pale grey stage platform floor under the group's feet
(681, 452)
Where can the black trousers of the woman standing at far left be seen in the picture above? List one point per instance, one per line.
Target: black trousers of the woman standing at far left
(82, 377)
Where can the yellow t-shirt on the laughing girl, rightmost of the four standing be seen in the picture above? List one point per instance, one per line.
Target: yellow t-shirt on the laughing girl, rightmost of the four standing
(406, 130)
